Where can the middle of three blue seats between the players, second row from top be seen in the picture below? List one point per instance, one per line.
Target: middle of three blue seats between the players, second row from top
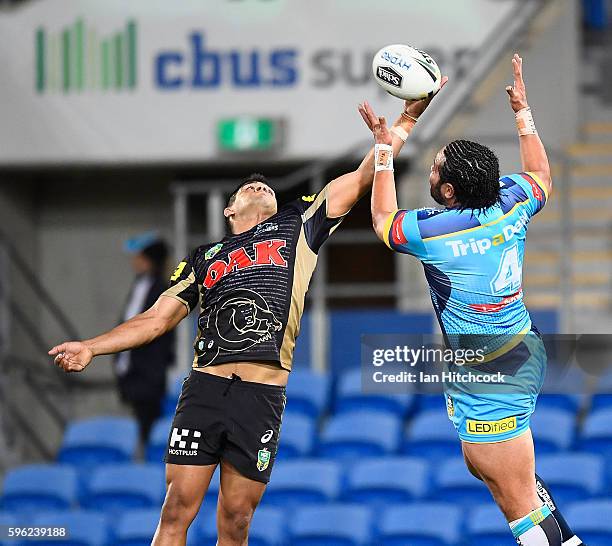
(360, 434)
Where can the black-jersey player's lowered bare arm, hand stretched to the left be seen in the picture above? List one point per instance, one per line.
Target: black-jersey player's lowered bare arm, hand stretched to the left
(163, 316)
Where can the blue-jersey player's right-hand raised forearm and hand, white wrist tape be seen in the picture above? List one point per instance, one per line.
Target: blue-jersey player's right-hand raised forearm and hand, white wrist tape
(533, 154)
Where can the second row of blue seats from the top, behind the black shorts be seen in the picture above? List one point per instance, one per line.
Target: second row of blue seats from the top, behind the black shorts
(358, 433)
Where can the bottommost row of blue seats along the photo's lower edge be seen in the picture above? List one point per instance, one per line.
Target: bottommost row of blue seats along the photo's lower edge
(338, 524)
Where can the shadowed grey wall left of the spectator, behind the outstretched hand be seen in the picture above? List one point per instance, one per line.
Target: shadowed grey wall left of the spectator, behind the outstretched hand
(82, 226)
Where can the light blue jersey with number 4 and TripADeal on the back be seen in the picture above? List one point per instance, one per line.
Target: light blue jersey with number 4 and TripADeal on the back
(473, 260)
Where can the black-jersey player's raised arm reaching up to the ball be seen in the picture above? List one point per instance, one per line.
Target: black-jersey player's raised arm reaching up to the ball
(344, 191)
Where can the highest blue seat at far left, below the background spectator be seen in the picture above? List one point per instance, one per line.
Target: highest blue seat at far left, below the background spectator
(99, 440)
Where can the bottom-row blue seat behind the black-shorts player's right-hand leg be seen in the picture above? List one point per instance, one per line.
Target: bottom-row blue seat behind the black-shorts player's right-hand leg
(267, 528)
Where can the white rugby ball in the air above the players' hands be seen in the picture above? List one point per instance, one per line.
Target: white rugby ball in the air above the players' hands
(406, 72)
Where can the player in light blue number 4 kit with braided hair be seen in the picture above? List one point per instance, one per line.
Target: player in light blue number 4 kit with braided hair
(472, 252)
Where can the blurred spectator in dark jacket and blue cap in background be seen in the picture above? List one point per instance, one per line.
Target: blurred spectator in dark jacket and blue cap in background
(141, 373)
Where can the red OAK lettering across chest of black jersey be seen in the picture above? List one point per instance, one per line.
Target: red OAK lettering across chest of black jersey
(265, 253)
